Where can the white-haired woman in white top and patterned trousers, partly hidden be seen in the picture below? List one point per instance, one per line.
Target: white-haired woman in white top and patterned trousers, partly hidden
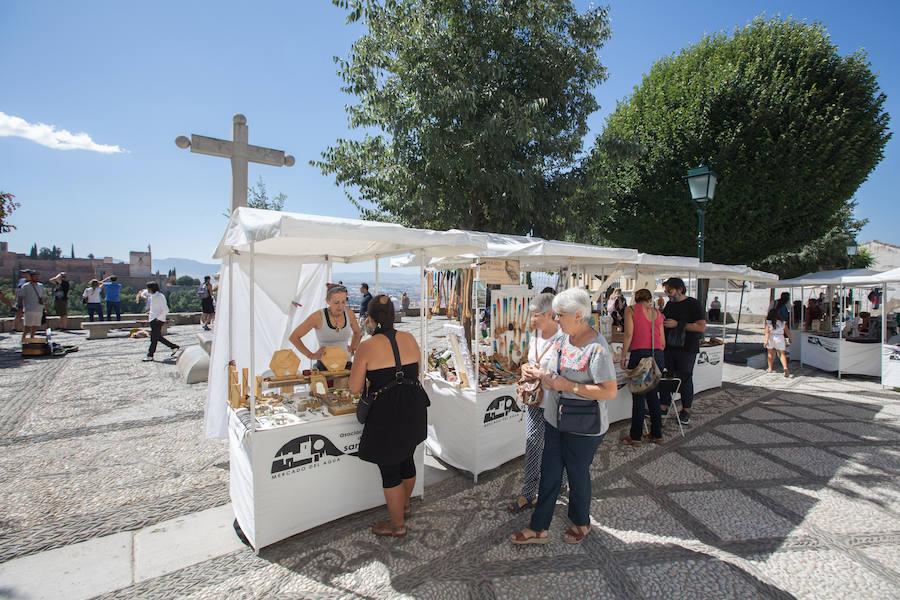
(539, 351)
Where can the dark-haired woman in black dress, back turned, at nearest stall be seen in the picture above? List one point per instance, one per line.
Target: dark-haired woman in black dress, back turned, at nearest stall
(397, 418)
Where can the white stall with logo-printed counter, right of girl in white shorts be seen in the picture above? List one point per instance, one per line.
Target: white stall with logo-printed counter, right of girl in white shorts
(830, 350)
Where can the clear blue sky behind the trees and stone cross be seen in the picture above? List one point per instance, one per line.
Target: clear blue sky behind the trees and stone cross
(134, 76)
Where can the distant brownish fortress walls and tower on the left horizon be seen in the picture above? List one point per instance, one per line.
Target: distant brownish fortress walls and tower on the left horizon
(135, 273)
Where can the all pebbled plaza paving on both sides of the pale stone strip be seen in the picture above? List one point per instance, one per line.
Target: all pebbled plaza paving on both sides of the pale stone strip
(781, 488)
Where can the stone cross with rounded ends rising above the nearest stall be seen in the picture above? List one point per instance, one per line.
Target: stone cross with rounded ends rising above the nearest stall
(240, 153)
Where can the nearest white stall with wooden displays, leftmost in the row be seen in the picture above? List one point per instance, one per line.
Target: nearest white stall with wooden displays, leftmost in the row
(290, 478)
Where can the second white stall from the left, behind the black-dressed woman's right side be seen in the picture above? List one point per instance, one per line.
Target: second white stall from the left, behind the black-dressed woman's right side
(475, 429)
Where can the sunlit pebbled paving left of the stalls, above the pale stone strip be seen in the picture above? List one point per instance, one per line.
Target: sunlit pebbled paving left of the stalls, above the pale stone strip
(98, 442)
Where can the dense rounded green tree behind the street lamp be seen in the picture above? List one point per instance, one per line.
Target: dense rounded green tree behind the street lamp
(792, 127)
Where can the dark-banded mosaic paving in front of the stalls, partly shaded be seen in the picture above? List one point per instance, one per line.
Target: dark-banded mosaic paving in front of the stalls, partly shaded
(752, 503)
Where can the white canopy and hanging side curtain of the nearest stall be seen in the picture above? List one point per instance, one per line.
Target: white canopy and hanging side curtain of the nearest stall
(273, 277)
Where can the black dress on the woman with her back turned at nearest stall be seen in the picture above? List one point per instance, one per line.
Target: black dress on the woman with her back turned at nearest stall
(398, 418)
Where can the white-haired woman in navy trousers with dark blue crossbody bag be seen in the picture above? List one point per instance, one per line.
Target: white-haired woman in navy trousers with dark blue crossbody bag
(579, 381)
